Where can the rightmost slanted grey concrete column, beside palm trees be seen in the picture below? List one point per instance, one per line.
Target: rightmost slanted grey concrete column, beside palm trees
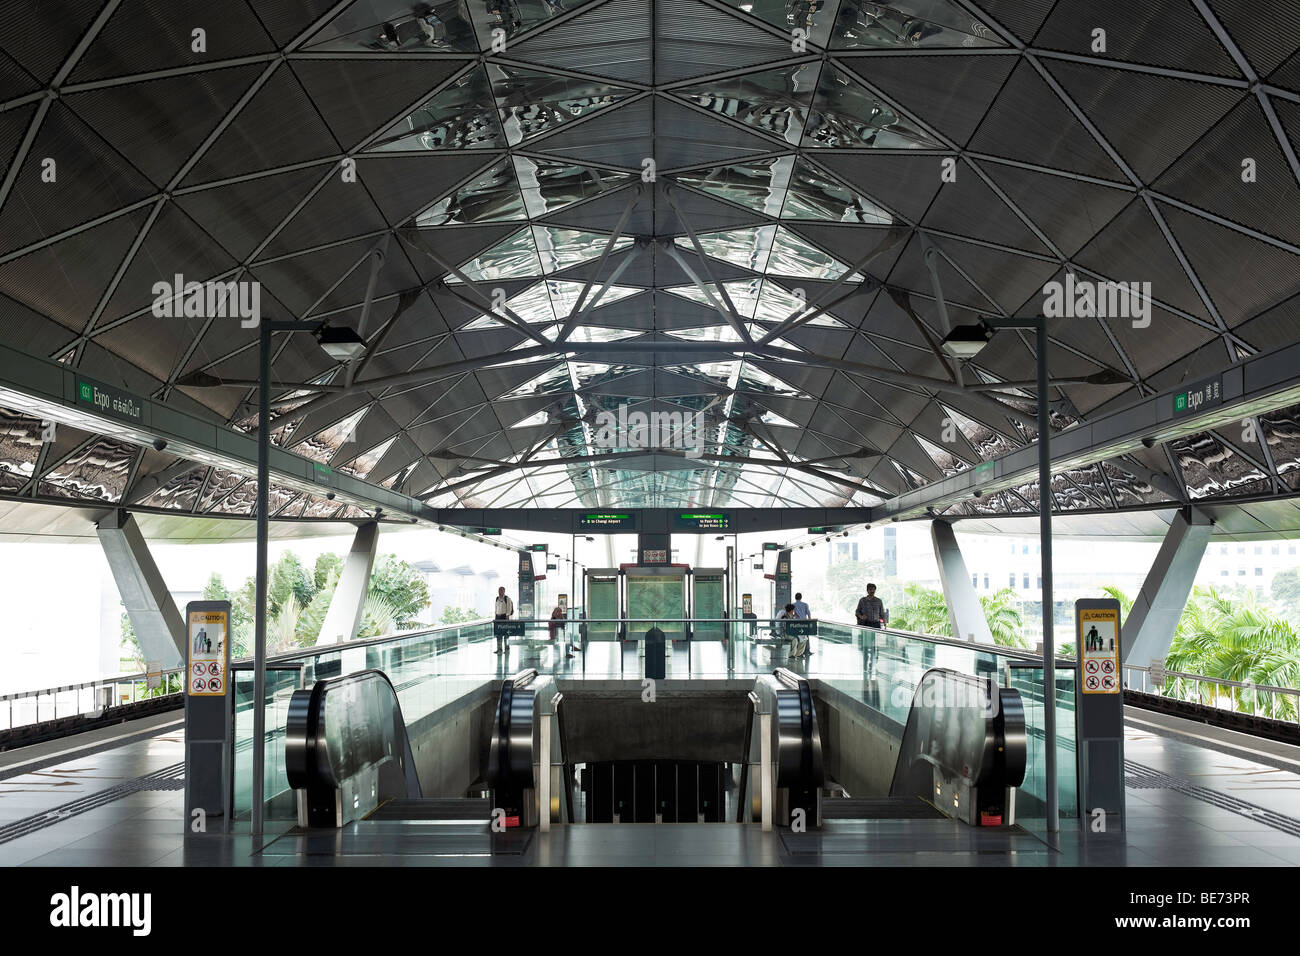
(1158, 608)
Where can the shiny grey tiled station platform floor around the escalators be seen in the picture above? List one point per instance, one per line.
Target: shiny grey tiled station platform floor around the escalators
(115, 799)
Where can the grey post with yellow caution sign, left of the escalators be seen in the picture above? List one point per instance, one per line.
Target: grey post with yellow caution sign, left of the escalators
(207, 717)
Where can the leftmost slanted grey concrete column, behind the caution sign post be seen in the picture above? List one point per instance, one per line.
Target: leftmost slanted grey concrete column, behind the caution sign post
(158, 624)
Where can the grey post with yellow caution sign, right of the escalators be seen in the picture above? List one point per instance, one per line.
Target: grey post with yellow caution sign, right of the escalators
(1099, 708)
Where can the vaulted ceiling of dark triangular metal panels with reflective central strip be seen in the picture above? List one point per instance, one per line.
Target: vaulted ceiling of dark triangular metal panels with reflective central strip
(536, 275)
